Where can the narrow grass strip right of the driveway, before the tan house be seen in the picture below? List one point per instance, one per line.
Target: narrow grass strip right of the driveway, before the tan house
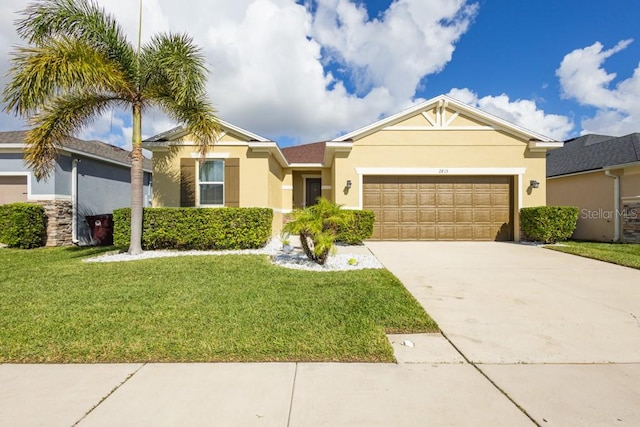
(627, 255)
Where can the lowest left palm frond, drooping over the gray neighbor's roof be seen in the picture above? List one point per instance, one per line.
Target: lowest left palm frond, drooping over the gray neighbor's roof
(62, 117)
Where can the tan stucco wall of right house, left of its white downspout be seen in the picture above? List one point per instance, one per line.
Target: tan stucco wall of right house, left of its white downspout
(592, 193)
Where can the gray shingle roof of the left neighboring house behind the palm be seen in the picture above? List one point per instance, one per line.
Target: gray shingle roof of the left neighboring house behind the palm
(93, 148)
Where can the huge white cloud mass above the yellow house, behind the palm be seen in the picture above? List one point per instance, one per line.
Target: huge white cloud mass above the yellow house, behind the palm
(271, 60)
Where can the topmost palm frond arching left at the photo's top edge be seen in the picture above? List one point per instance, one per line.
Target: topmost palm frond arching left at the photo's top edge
(78, 19)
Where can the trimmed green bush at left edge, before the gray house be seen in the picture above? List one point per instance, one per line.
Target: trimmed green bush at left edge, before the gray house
(23, 225)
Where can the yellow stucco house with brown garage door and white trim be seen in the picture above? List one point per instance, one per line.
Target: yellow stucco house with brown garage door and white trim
(441, 170)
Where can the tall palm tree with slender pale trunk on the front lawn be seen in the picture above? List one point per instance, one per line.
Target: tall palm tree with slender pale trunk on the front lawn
(78, 64)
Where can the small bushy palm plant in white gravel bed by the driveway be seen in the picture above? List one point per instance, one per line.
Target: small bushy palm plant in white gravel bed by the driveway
(317, 227)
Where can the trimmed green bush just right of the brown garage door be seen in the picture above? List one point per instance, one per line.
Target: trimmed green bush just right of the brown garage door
(548, 224)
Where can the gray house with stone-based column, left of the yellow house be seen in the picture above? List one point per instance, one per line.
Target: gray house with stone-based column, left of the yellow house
(89, 178)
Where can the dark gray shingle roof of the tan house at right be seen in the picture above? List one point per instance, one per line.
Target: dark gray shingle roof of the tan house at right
(592, 152)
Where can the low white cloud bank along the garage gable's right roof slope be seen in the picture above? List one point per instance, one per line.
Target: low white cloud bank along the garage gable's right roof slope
(522, 112)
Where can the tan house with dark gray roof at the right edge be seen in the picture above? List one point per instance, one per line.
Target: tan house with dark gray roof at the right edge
(601, 175)
